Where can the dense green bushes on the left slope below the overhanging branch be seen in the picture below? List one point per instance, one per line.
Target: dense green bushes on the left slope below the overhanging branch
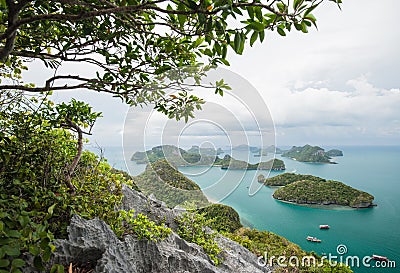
(36, 200)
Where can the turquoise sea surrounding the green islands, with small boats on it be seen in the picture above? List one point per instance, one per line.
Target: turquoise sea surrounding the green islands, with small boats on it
(354, 234)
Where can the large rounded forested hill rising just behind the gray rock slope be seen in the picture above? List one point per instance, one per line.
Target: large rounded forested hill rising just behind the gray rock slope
(169, 185)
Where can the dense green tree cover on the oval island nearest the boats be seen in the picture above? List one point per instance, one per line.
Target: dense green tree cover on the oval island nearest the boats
(323, 192)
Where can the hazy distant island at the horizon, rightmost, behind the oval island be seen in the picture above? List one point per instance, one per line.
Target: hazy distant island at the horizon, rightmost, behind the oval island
(313, 154)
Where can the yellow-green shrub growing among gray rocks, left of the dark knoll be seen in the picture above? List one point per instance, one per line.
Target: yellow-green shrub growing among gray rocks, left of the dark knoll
(192, 227)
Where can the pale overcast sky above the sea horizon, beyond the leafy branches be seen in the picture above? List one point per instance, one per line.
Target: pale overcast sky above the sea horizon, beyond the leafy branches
(338, 85)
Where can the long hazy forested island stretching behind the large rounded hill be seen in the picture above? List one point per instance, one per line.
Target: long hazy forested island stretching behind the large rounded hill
(195, 156)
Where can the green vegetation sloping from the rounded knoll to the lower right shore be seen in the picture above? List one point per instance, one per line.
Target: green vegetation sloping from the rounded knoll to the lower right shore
(192, 226)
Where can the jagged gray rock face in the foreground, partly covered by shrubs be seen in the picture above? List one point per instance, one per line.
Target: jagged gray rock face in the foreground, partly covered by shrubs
(93, 242)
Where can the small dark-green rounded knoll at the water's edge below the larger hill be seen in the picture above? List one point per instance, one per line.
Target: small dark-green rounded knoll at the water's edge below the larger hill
(222, 218)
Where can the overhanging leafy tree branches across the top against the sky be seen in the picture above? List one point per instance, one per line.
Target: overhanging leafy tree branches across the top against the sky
(136, 46)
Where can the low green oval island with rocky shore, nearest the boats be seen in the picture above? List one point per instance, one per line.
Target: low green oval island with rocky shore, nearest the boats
(313, 190)
